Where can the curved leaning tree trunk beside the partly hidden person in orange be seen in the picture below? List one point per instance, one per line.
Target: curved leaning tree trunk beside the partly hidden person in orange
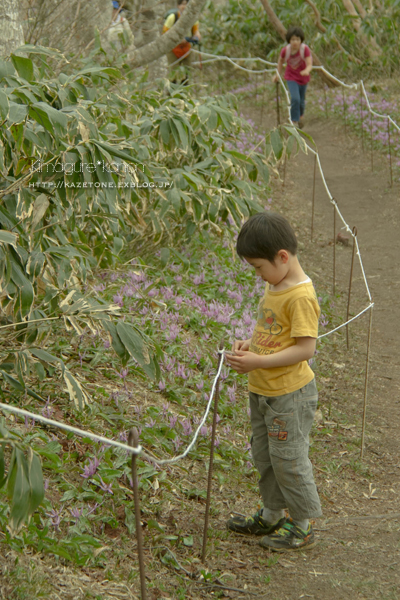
(163, 44)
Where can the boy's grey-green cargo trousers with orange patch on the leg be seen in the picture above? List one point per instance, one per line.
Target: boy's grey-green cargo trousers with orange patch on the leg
(280, 442)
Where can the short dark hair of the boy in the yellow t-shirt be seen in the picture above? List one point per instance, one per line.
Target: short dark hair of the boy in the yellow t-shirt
(263, 235)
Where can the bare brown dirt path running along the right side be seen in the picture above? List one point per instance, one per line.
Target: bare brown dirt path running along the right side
(358, 554)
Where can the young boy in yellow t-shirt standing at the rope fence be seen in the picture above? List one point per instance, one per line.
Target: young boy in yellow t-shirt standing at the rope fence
(283, 392)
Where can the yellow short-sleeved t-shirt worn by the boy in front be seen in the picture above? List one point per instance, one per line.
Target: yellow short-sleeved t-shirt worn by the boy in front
(282, 317)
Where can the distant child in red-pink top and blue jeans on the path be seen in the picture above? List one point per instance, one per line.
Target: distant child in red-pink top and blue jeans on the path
(298, 59)
